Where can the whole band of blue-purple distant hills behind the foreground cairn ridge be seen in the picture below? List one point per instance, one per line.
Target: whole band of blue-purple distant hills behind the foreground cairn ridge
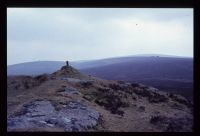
(169, 73)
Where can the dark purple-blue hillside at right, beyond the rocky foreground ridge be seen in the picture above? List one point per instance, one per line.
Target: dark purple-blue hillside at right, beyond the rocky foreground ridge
(166, 73)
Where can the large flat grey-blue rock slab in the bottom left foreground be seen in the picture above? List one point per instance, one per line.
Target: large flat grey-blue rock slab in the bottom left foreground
(41, 114)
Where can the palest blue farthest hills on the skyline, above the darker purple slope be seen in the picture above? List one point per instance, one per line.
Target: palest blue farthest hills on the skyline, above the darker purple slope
(41, 67)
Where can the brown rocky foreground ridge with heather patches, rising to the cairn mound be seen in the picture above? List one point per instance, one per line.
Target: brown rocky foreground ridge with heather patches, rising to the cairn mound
(68, 100)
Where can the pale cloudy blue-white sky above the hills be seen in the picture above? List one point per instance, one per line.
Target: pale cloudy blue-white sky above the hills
(59, 34)
